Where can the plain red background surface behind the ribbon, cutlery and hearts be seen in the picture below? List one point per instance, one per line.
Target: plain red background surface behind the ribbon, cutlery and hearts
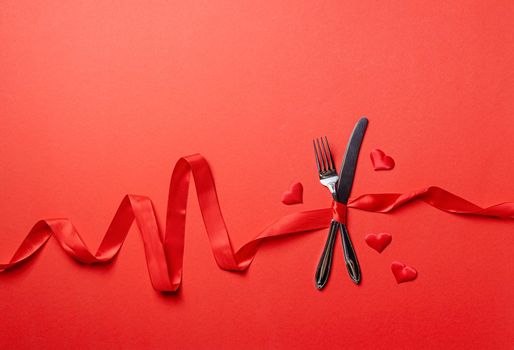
(99, 99)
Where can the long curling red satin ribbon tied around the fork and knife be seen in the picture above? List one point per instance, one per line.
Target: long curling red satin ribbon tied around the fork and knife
(164, 253)
